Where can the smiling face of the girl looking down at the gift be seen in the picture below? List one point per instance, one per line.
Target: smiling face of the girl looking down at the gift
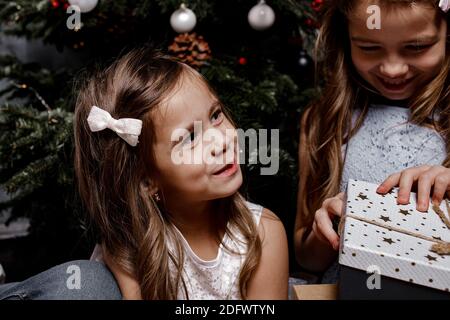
(404, 55)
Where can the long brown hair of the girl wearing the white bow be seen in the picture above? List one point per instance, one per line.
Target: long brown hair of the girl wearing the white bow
(114, 178)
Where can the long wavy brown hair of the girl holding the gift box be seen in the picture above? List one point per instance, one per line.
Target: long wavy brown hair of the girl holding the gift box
(326, 123)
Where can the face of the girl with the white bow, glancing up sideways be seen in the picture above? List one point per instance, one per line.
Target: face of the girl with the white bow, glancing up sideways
(196, 146)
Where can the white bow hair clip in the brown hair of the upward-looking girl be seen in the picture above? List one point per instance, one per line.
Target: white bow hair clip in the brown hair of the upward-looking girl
(127, 128)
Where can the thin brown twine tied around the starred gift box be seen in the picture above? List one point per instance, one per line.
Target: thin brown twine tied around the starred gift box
(440, 247)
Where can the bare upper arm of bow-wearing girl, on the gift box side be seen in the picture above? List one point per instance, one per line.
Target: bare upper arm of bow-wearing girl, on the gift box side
(270, 280)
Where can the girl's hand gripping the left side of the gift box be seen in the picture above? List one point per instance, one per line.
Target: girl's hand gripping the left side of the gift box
(323, 224)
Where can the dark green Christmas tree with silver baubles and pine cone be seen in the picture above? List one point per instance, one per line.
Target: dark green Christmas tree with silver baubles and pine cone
(260, 67)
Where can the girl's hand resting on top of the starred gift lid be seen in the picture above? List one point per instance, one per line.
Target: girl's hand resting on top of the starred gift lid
(426, 177)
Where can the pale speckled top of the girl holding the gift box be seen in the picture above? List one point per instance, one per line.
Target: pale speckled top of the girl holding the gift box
(387, 143)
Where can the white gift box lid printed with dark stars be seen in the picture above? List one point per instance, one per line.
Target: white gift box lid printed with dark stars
(396, 240)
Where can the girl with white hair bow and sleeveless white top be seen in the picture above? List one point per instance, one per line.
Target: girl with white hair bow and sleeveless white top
(171, 229)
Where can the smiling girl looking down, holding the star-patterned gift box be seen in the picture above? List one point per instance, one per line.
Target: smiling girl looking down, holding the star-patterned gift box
(384, 116)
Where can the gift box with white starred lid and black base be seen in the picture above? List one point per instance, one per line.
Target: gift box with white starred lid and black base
(392, 251)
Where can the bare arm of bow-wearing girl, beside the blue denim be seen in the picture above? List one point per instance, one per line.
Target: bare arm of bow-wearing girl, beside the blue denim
(128, 285)
